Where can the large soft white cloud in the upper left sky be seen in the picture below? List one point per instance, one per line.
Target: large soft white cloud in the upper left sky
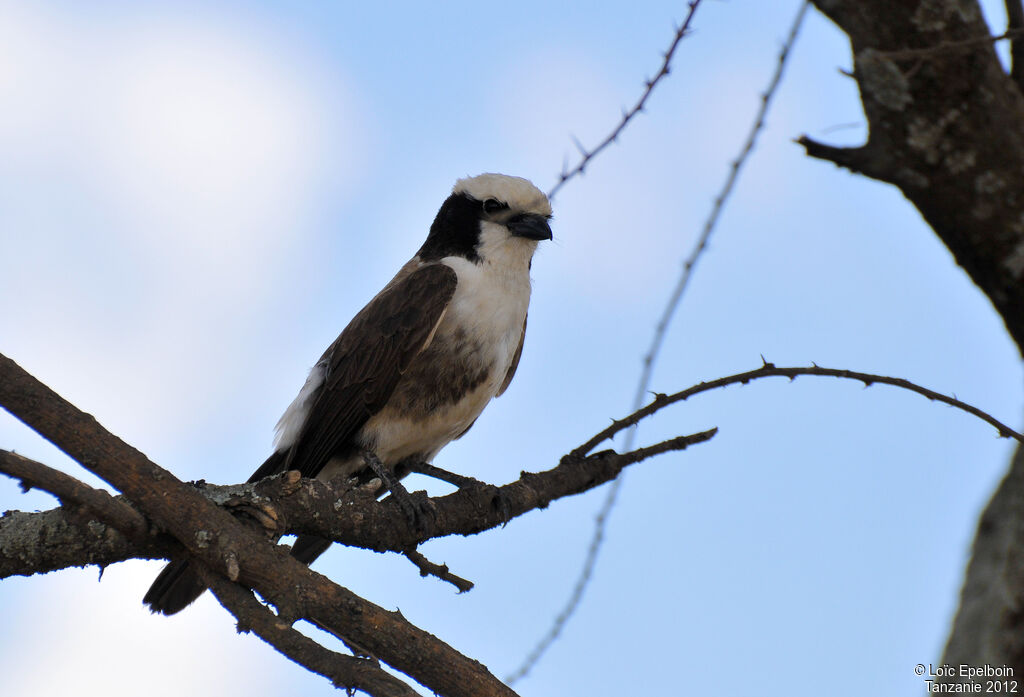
(159, 169)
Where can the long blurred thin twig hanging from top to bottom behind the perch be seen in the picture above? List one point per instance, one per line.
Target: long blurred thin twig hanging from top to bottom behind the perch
(660, 333)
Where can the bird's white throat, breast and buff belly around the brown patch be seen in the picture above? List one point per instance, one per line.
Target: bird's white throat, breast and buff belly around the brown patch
(490, 306)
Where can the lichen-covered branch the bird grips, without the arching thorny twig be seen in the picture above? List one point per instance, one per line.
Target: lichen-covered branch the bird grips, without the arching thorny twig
(350, 516)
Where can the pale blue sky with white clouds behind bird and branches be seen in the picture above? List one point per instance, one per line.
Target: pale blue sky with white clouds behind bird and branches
(196, 198)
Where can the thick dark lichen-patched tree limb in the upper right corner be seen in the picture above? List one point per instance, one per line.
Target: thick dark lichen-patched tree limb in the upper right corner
(947, 126)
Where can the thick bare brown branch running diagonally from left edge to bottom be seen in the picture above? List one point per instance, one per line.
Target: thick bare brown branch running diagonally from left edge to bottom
(222, 543)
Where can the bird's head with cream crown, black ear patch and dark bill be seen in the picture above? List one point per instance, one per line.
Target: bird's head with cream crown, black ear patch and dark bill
(490, 216)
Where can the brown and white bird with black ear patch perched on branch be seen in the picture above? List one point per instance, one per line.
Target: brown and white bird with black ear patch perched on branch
(416, 367)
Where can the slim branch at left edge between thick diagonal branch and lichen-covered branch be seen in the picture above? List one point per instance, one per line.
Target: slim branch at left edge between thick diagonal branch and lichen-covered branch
(74, 493)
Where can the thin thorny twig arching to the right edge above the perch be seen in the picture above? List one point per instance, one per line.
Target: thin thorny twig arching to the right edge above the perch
(771, 371)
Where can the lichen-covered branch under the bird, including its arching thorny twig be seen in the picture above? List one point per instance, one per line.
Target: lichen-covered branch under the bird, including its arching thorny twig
(351, 517)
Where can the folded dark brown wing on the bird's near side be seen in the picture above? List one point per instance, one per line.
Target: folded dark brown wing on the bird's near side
(367, 362)
